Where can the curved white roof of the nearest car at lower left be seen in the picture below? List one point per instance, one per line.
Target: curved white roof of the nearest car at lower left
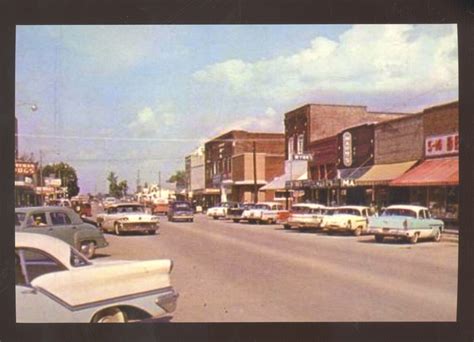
(51, 245)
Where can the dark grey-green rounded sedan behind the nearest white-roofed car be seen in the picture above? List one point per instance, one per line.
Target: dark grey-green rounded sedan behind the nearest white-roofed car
(62, 223)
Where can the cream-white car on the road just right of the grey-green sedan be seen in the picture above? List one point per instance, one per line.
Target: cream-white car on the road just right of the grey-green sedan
(127, 217)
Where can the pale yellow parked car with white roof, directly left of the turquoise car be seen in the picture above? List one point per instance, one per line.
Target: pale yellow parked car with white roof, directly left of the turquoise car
(347, 218)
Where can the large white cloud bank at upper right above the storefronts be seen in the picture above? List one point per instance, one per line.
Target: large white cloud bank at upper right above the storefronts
(366, 59)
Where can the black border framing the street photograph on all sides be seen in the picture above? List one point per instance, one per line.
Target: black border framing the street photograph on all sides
(237, 12)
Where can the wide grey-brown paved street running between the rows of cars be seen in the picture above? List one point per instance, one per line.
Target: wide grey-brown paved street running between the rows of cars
(234, 272)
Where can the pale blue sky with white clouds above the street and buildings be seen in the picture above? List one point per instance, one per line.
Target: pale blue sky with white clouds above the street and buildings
(140, 98)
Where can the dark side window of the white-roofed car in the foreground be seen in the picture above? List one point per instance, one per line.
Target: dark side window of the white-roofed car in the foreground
(37, 263)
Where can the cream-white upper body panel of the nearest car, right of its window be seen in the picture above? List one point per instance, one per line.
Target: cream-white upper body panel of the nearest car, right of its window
(106, 280)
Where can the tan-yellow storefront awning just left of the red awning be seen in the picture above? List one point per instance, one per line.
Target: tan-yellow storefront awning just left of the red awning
(384, 173)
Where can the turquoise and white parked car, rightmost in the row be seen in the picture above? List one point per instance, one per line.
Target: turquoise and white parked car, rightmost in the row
(407, 222)
